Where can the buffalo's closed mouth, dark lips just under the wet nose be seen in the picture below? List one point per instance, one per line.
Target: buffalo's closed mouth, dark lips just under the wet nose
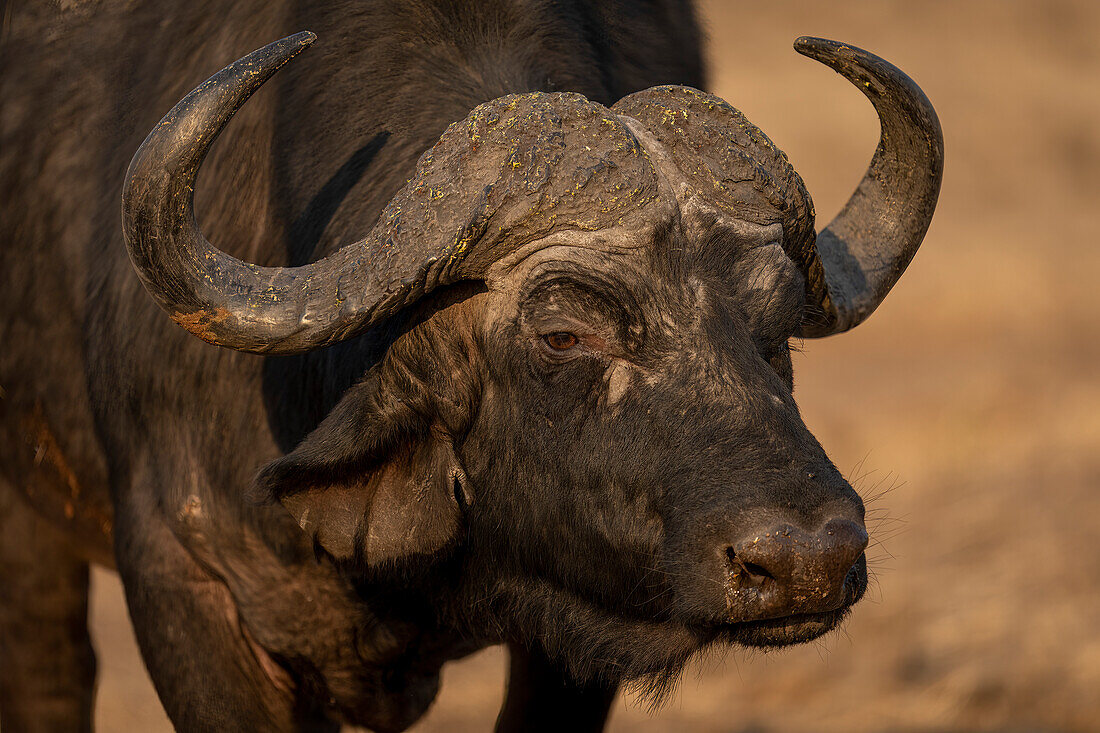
(798, 628)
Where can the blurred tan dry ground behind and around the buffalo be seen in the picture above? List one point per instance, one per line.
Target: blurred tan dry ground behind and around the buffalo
(967, 410)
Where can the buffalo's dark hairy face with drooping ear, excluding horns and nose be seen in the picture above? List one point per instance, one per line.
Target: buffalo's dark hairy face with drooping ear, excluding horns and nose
(680, 375)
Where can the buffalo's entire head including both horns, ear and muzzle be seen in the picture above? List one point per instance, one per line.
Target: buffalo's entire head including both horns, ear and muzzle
(590, 422)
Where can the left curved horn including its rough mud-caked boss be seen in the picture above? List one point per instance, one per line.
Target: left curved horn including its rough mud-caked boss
(515, 170)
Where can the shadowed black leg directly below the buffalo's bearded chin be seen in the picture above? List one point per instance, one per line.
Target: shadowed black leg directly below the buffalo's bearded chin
(542, 697)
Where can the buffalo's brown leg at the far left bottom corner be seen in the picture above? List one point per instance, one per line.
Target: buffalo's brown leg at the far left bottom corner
(48, 668)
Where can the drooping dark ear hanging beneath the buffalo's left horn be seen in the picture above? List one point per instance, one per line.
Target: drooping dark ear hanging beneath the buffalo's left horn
(375, 483)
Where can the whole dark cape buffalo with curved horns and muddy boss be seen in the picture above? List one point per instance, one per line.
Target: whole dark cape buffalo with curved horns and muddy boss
(514, 367)
